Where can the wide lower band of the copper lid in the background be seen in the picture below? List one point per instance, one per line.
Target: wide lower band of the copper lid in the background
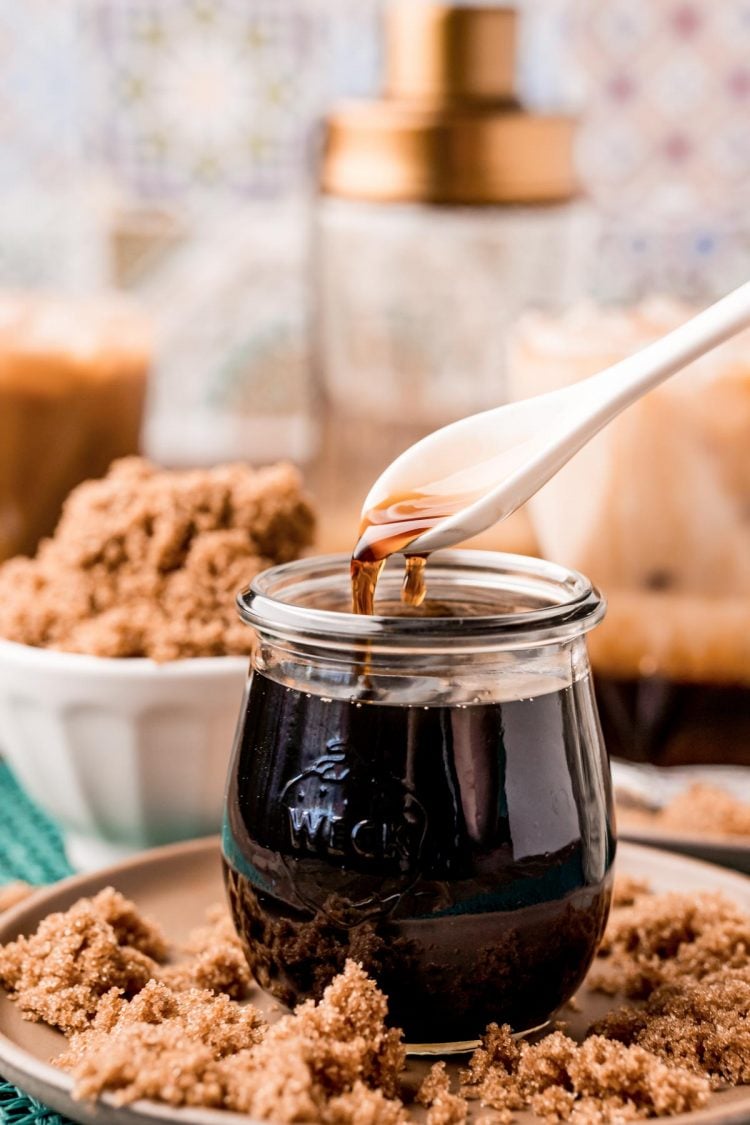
(394, 151)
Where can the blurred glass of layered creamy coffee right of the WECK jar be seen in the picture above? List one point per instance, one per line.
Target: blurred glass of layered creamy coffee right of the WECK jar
(656, 510)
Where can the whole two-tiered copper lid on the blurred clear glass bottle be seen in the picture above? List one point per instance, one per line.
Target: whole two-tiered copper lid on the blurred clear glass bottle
(450, 131)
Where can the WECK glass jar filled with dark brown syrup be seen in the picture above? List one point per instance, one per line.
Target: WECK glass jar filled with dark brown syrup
(426, 793)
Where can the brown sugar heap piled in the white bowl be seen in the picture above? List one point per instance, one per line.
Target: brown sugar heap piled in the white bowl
(148, 562)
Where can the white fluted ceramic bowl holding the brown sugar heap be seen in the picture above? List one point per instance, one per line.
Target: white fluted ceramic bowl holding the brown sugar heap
(123, 753)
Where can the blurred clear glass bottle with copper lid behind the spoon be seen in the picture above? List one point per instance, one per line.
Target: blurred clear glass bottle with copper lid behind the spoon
(447, 210)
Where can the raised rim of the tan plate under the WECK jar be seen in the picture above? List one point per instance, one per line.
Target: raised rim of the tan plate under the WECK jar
(53, 1086)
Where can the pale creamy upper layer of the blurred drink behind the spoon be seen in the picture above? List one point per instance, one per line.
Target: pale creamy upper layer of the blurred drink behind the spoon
(662, 499)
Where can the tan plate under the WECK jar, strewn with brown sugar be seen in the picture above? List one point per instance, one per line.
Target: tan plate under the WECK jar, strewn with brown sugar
(176, 885)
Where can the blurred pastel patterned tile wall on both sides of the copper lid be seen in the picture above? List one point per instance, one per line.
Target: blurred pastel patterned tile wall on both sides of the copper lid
(186, 103)
